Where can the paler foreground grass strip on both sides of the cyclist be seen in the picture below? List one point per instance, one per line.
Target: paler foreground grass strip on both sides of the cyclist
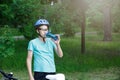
(97, 74)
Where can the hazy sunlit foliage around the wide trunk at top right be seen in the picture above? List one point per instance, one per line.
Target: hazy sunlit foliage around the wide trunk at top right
(96, 17)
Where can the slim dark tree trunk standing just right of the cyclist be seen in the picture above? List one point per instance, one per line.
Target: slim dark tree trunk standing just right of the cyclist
(81, 6)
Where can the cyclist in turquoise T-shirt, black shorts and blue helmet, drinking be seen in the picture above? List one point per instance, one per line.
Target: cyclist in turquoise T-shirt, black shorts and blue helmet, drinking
(42, 49)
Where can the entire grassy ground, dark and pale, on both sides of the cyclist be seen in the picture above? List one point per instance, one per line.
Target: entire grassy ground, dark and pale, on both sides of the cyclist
(100, 61)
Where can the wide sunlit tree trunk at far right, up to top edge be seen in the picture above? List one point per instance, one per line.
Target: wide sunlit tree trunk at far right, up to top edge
(106, 9)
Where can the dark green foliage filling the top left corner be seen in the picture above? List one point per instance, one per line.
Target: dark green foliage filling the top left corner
(21, 12)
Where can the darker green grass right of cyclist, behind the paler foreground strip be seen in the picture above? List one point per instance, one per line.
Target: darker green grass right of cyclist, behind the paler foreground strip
(98, 55)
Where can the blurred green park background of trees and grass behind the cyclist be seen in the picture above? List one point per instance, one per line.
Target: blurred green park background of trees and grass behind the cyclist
(89, 31)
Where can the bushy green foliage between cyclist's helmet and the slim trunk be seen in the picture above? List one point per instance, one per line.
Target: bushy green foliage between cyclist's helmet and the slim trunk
(62, 20)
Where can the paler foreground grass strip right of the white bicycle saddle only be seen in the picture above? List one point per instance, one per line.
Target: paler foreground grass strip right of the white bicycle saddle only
(99, 74)
